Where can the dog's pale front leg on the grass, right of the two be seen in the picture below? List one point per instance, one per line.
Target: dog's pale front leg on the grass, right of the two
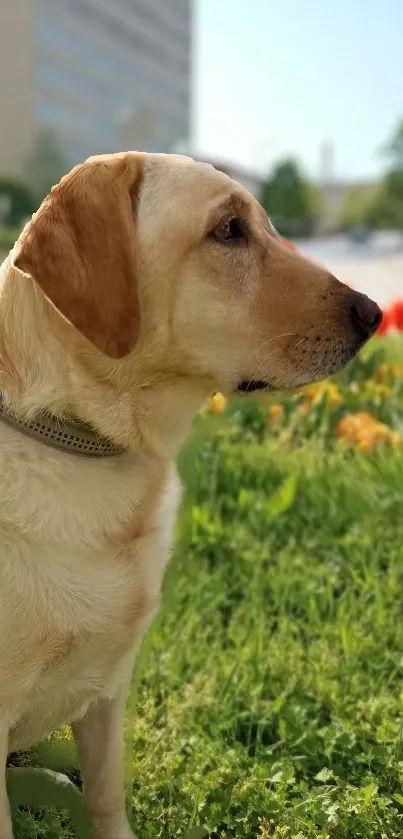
(100, 745)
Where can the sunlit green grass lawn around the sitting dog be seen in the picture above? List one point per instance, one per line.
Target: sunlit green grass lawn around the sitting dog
(268, 698)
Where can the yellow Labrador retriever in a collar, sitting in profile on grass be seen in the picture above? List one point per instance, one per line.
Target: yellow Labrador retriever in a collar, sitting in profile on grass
(142, 284)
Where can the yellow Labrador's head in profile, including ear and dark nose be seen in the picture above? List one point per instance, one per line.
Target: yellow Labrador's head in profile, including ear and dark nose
(159, 260)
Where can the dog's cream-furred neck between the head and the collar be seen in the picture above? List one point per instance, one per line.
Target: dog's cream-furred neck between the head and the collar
(38, 375)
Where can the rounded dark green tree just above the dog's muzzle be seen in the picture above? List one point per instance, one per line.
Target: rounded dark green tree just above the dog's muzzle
(290, 199)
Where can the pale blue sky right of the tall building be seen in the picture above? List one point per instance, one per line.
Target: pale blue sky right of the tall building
(280, 77)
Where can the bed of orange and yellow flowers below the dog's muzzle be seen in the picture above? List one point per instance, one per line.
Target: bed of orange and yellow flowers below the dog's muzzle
(361, 408)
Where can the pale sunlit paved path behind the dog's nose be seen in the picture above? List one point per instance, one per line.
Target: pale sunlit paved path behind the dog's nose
(376, 268)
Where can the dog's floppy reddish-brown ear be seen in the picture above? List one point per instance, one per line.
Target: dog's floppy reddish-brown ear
(80, 247)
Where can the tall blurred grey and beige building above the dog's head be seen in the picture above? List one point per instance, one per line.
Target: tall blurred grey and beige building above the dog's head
(104, 74)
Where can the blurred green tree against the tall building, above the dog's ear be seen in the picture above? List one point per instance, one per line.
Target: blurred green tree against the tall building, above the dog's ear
(46, 163)
